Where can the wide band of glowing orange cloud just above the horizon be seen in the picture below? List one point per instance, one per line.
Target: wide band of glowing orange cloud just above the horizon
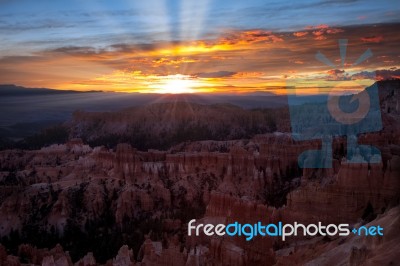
(237, 60)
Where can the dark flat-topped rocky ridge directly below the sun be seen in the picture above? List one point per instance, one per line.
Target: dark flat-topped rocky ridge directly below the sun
(161, 125)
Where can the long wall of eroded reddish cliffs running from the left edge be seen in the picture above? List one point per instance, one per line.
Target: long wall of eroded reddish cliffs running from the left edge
(151, 179)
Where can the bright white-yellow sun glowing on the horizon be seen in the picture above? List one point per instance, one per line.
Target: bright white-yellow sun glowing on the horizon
(175, 84)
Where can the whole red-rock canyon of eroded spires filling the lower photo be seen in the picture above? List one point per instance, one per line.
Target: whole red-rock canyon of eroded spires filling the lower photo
(77, 203)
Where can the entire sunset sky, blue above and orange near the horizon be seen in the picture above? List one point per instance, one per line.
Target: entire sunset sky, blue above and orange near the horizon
(197, 46)
